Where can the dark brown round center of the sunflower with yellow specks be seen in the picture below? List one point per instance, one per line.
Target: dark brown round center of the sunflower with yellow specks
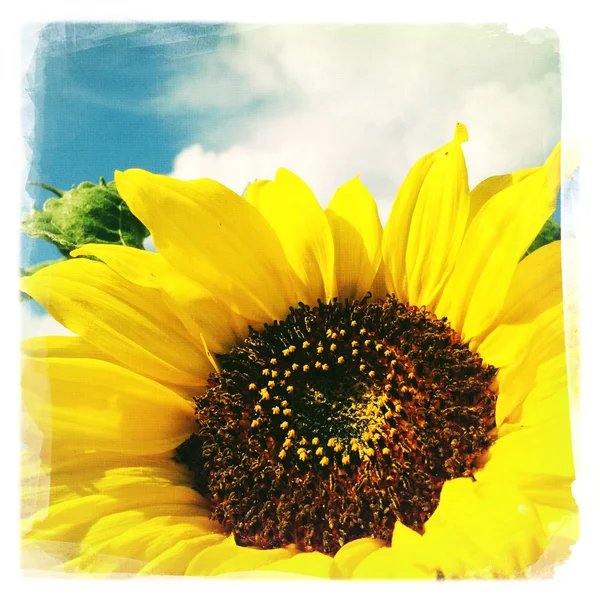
(338, 421)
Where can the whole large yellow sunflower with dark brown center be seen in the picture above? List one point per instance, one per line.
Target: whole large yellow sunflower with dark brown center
(288, 390)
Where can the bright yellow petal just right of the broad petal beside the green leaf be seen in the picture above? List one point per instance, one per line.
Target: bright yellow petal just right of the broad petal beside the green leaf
(293, 212)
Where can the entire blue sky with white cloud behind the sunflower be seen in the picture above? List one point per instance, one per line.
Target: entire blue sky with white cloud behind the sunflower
(327, 101)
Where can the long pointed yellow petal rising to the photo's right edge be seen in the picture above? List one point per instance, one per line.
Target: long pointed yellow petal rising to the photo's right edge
(494, 244)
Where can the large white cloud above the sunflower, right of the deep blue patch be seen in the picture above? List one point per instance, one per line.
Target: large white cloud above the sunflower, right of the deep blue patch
(329, 102)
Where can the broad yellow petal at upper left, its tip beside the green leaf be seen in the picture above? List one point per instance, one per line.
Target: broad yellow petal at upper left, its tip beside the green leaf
(216, 238)
